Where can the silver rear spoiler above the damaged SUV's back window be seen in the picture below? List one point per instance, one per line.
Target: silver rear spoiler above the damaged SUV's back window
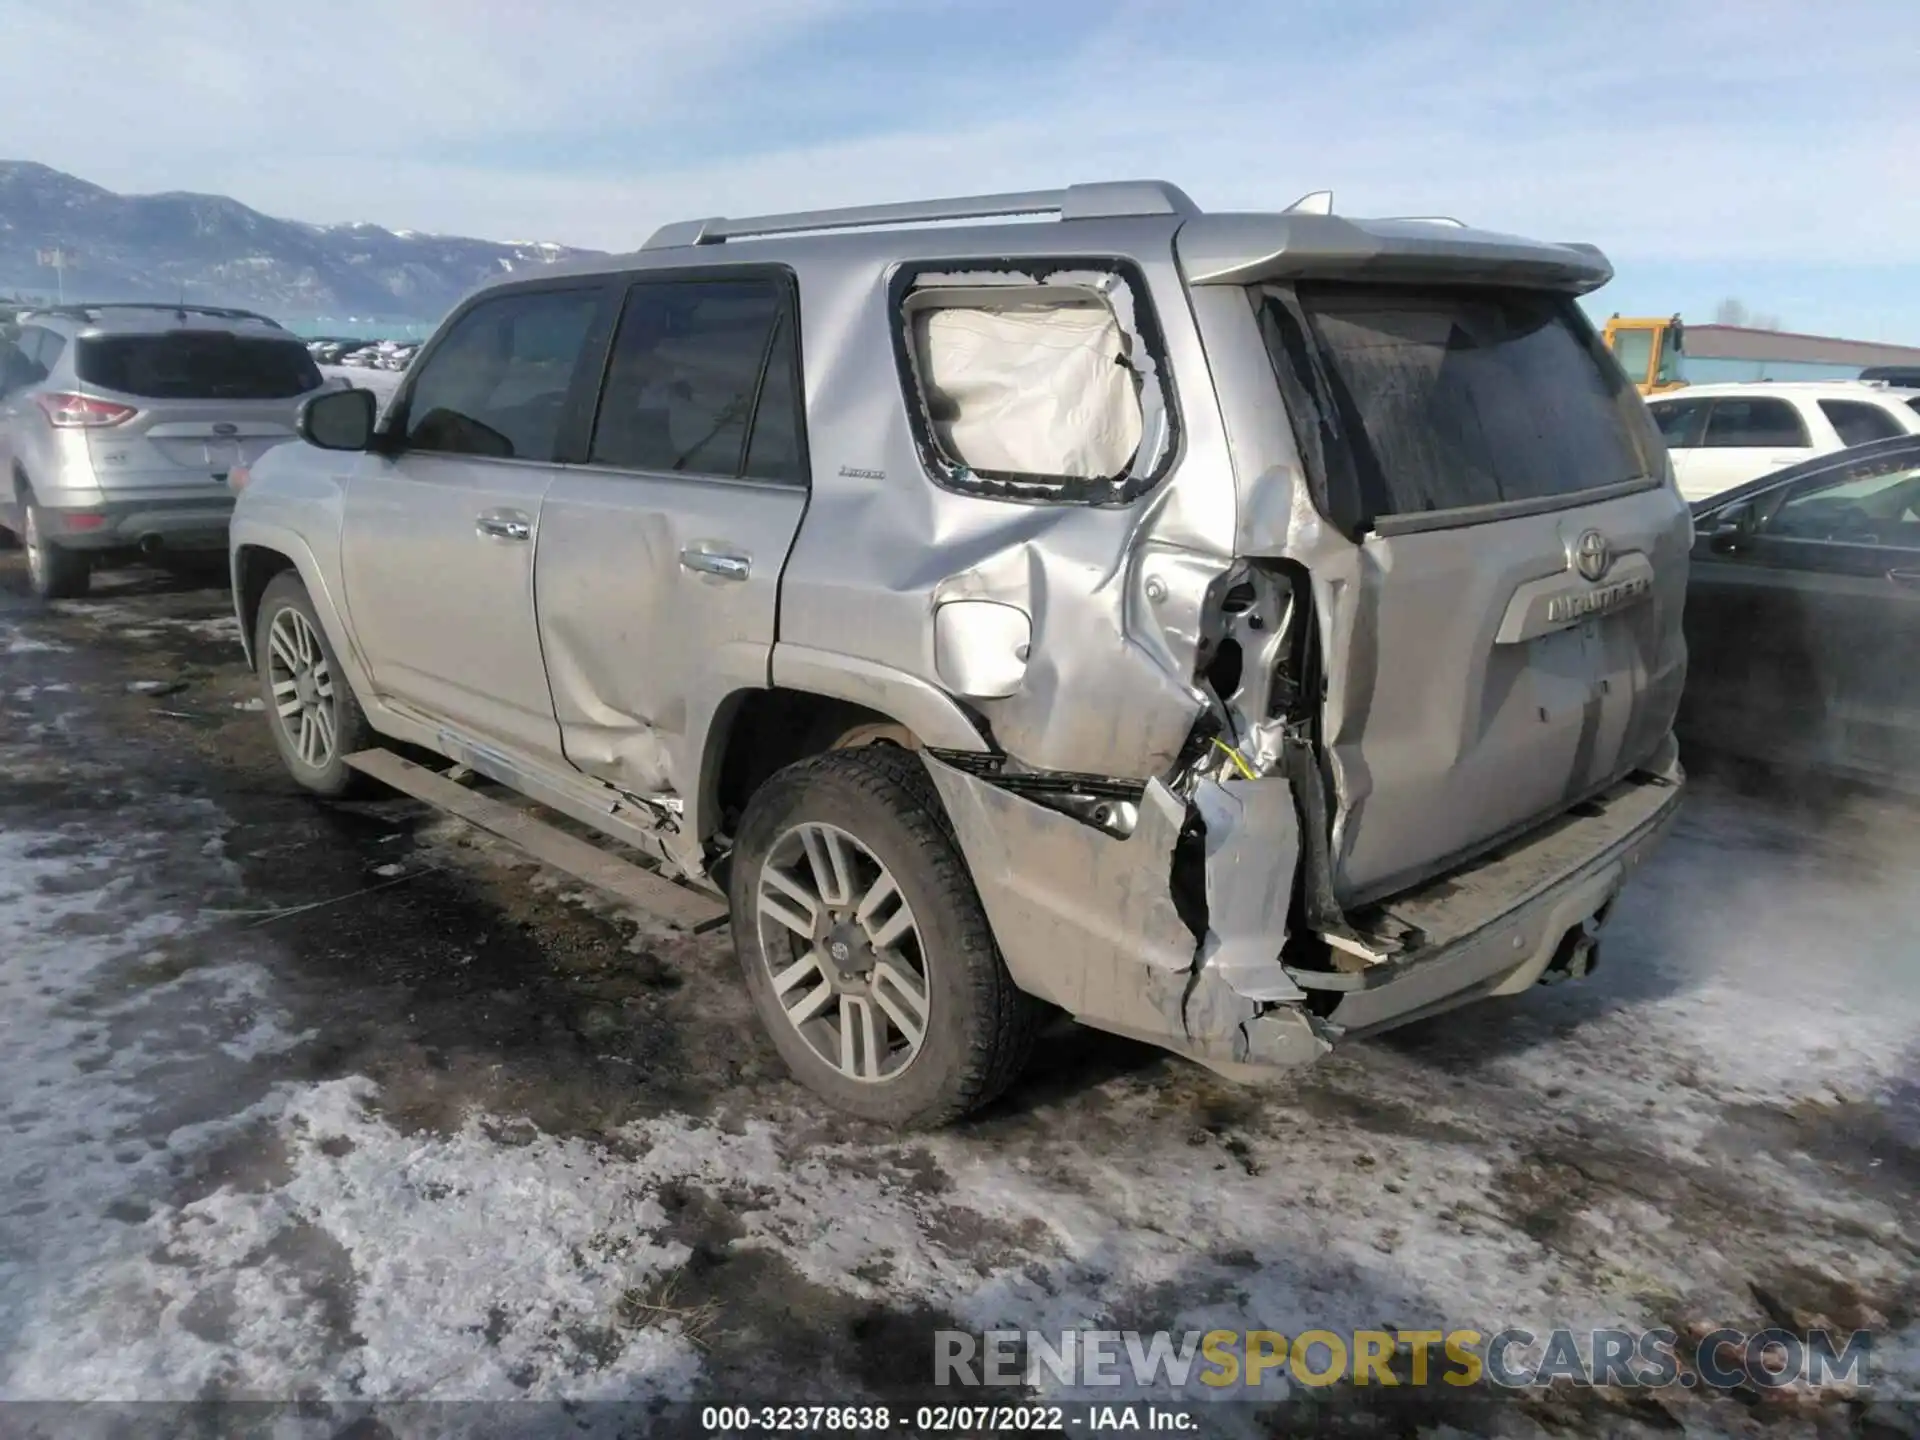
(1293, 247)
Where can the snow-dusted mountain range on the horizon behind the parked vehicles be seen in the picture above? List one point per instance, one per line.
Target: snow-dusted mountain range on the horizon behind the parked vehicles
(218, 252)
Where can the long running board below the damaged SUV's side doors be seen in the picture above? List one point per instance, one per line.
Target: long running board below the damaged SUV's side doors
(679, 905)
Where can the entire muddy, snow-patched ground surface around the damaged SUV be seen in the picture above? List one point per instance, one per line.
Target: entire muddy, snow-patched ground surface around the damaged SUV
(352, 1105)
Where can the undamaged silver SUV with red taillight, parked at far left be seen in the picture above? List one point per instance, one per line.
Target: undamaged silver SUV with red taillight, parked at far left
(122, 423)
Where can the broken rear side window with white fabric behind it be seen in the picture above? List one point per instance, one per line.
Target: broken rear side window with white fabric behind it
(1044, 383)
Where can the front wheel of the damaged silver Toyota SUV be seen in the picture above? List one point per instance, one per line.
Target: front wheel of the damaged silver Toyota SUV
(312, 709)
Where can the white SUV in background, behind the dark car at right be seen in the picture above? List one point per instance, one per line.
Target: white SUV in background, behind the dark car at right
(1721, 437)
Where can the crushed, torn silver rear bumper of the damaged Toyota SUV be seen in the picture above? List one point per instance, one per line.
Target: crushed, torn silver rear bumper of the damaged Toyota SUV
(1103, 926)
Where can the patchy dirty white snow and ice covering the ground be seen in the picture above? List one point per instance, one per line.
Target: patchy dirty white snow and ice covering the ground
(191, 1209)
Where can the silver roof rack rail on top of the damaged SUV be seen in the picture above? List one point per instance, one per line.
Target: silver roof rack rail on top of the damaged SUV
(1078, 203)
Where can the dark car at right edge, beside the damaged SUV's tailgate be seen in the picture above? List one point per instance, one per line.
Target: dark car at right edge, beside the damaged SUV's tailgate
(1804, 617)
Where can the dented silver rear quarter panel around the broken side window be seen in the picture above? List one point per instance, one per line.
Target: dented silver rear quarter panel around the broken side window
(1113, 590)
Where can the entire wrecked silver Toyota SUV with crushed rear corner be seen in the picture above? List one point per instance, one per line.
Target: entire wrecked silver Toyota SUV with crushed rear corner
(1234, 631)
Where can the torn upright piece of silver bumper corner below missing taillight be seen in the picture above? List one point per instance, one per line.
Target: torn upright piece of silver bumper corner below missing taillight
(1253, 850)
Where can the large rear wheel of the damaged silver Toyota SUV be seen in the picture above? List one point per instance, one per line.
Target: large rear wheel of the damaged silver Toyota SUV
(865, 946)
